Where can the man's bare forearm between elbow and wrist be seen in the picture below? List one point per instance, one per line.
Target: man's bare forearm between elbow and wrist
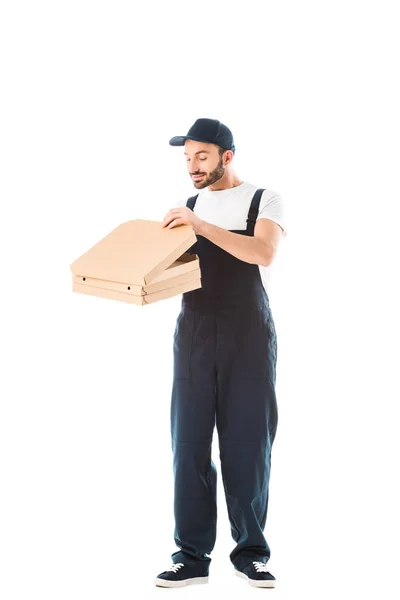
(247, 248)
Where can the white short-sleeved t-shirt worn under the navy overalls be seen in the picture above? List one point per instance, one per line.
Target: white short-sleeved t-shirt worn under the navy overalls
(229, 209)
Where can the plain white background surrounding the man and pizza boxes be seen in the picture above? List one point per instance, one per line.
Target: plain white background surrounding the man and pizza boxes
(91, 92)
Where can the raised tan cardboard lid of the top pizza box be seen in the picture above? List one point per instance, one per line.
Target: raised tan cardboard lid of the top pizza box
(135, 252)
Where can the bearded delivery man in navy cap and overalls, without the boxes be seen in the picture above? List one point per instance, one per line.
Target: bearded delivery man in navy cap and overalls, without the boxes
(225, 351)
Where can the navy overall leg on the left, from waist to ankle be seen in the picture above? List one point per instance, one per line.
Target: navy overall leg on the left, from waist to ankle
(192, 425)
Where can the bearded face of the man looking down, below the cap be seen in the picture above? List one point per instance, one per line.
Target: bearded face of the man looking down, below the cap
(204, 160)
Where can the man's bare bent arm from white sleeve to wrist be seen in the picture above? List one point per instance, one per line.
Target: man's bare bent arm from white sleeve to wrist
(259, 249)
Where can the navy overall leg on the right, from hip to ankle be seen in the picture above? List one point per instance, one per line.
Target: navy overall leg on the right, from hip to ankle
(247, 421)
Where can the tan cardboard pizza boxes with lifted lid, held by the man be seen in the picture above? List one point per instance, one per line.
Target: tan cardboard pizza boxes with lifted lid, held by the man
(139, 262)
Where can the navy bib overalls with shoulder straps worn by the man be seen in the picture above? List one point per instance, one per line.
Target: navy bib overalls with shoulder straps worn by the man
(225, 351)
